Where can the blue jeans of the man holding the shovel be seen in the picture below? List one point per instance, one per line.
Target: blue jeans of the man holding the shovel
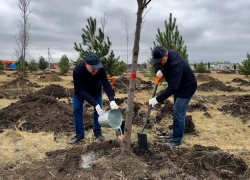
(180, 110)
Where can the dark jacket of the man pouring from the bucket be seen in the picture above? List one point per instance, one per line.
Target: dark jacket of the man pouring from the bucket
(87, 85)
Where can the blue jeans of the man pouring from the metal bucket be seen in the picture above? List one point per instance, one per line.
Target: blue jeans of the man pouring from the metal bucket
(78, 115)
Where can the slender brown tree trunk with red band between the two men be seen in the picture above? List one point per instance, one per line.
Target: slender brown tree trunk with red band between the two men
(130, 103)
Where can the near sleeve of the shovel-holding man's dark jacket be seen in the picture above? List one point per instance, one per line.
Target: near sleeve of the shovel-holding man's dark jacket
(175, 75)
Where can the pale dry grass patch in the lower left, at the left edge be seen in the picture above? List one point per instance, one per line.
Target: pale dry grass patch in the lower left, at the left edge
(18, 148)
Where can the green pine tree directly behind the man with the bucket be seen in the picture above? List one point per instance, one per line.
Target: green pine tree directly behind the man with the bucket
(97, 43)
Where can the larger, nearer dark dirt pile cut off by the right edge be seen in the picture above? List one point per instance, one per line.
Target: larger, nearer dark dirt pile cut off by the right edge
(239, 108)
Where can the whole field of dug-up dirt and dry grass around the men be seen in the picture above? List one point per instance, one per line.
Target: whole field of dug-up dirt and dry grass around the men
(37, 124)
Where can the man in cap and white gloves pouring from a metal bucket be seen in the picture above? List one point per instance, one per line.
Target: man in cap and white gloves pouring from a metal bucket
(89, 78)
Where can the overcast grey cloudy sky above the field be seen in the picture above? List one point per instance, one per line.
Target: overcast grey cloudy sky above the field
(212, 30)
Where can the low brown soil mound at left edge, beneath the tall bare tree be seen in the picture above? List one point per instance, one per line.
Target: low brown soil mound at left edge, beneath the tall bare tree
(18, 83)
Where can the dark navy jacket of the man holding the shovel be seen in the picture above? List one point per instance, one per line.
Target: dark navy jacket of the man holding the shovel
(181, 79)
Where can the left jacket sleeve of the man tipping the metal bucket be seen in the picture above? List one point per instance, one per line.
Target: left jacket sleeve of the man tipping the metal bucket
(80, 90)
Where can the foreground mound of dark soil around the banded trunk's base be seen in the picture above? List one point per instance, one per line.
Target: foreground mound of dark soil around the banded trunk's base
(161, 162)
